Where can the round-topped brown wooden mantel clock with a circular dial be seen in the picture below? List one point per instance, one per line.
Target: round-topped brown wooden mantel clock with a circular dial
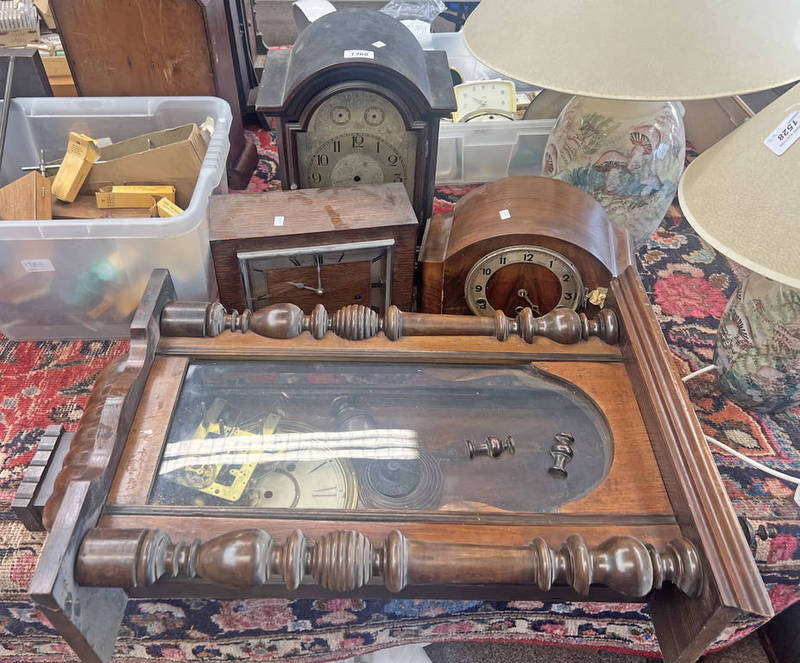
(520, 242)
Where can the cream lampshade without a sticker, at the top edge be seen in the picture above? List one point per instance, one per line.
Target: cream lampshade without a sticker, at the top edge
(640, 49)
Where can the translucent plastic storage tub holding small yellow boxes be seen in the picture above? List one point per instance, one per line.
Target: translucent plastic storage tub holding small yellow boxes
(64, 279)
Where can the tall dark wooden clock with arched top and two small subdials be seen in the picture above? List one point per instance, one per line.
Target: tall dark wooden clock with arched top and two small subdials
(357, 101)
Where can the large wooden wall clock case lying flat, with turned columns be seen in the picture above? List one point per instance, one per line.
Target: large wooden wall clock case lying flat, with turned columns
(658, 528)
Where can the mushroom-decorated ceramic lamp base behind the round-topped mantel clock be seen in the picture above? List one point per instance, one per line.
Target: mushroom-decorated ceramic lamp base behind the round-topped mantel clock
(628, 154)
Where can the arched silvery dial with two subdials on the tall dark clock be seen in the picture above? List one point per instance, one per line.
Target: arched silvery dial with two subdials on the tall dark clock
(356, 137)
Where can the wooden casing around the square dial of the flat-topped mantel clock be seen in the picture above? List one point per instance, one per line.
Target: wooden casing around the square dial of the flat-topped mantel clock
(313, 217)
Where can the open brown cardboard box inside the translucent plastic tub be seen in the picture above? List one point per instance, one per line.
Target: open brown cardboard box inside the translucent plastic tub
(172, 156)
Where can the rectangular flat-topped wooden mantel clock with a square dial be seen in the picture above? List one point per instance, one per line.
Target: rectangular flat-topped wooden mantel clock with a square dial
(321, 246)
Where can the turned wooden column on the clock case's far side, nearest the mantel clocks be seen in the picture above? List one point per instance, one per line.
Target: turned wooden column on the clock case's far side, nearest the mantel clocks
(357, 322)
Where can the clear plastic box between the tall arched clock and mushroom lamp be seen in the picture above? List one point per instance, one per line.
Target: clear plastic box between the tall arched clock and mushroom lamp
(476, 152)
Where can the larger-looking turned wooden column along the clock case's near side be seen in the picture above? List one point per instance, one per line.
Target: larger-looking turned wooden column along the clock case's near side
(346, 560)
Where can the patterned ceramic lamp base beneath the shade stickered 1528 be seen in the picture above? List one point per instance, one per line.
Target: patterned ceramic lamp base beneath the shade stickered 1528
(757, 351)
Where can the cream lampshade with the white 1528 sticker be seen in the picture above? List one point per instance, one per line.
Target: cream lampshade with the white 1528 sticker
(744, 199)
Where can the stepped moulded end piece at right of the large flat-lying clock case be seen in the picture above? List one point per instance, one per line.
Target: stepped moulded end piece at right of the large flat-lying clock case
(698, 498)
